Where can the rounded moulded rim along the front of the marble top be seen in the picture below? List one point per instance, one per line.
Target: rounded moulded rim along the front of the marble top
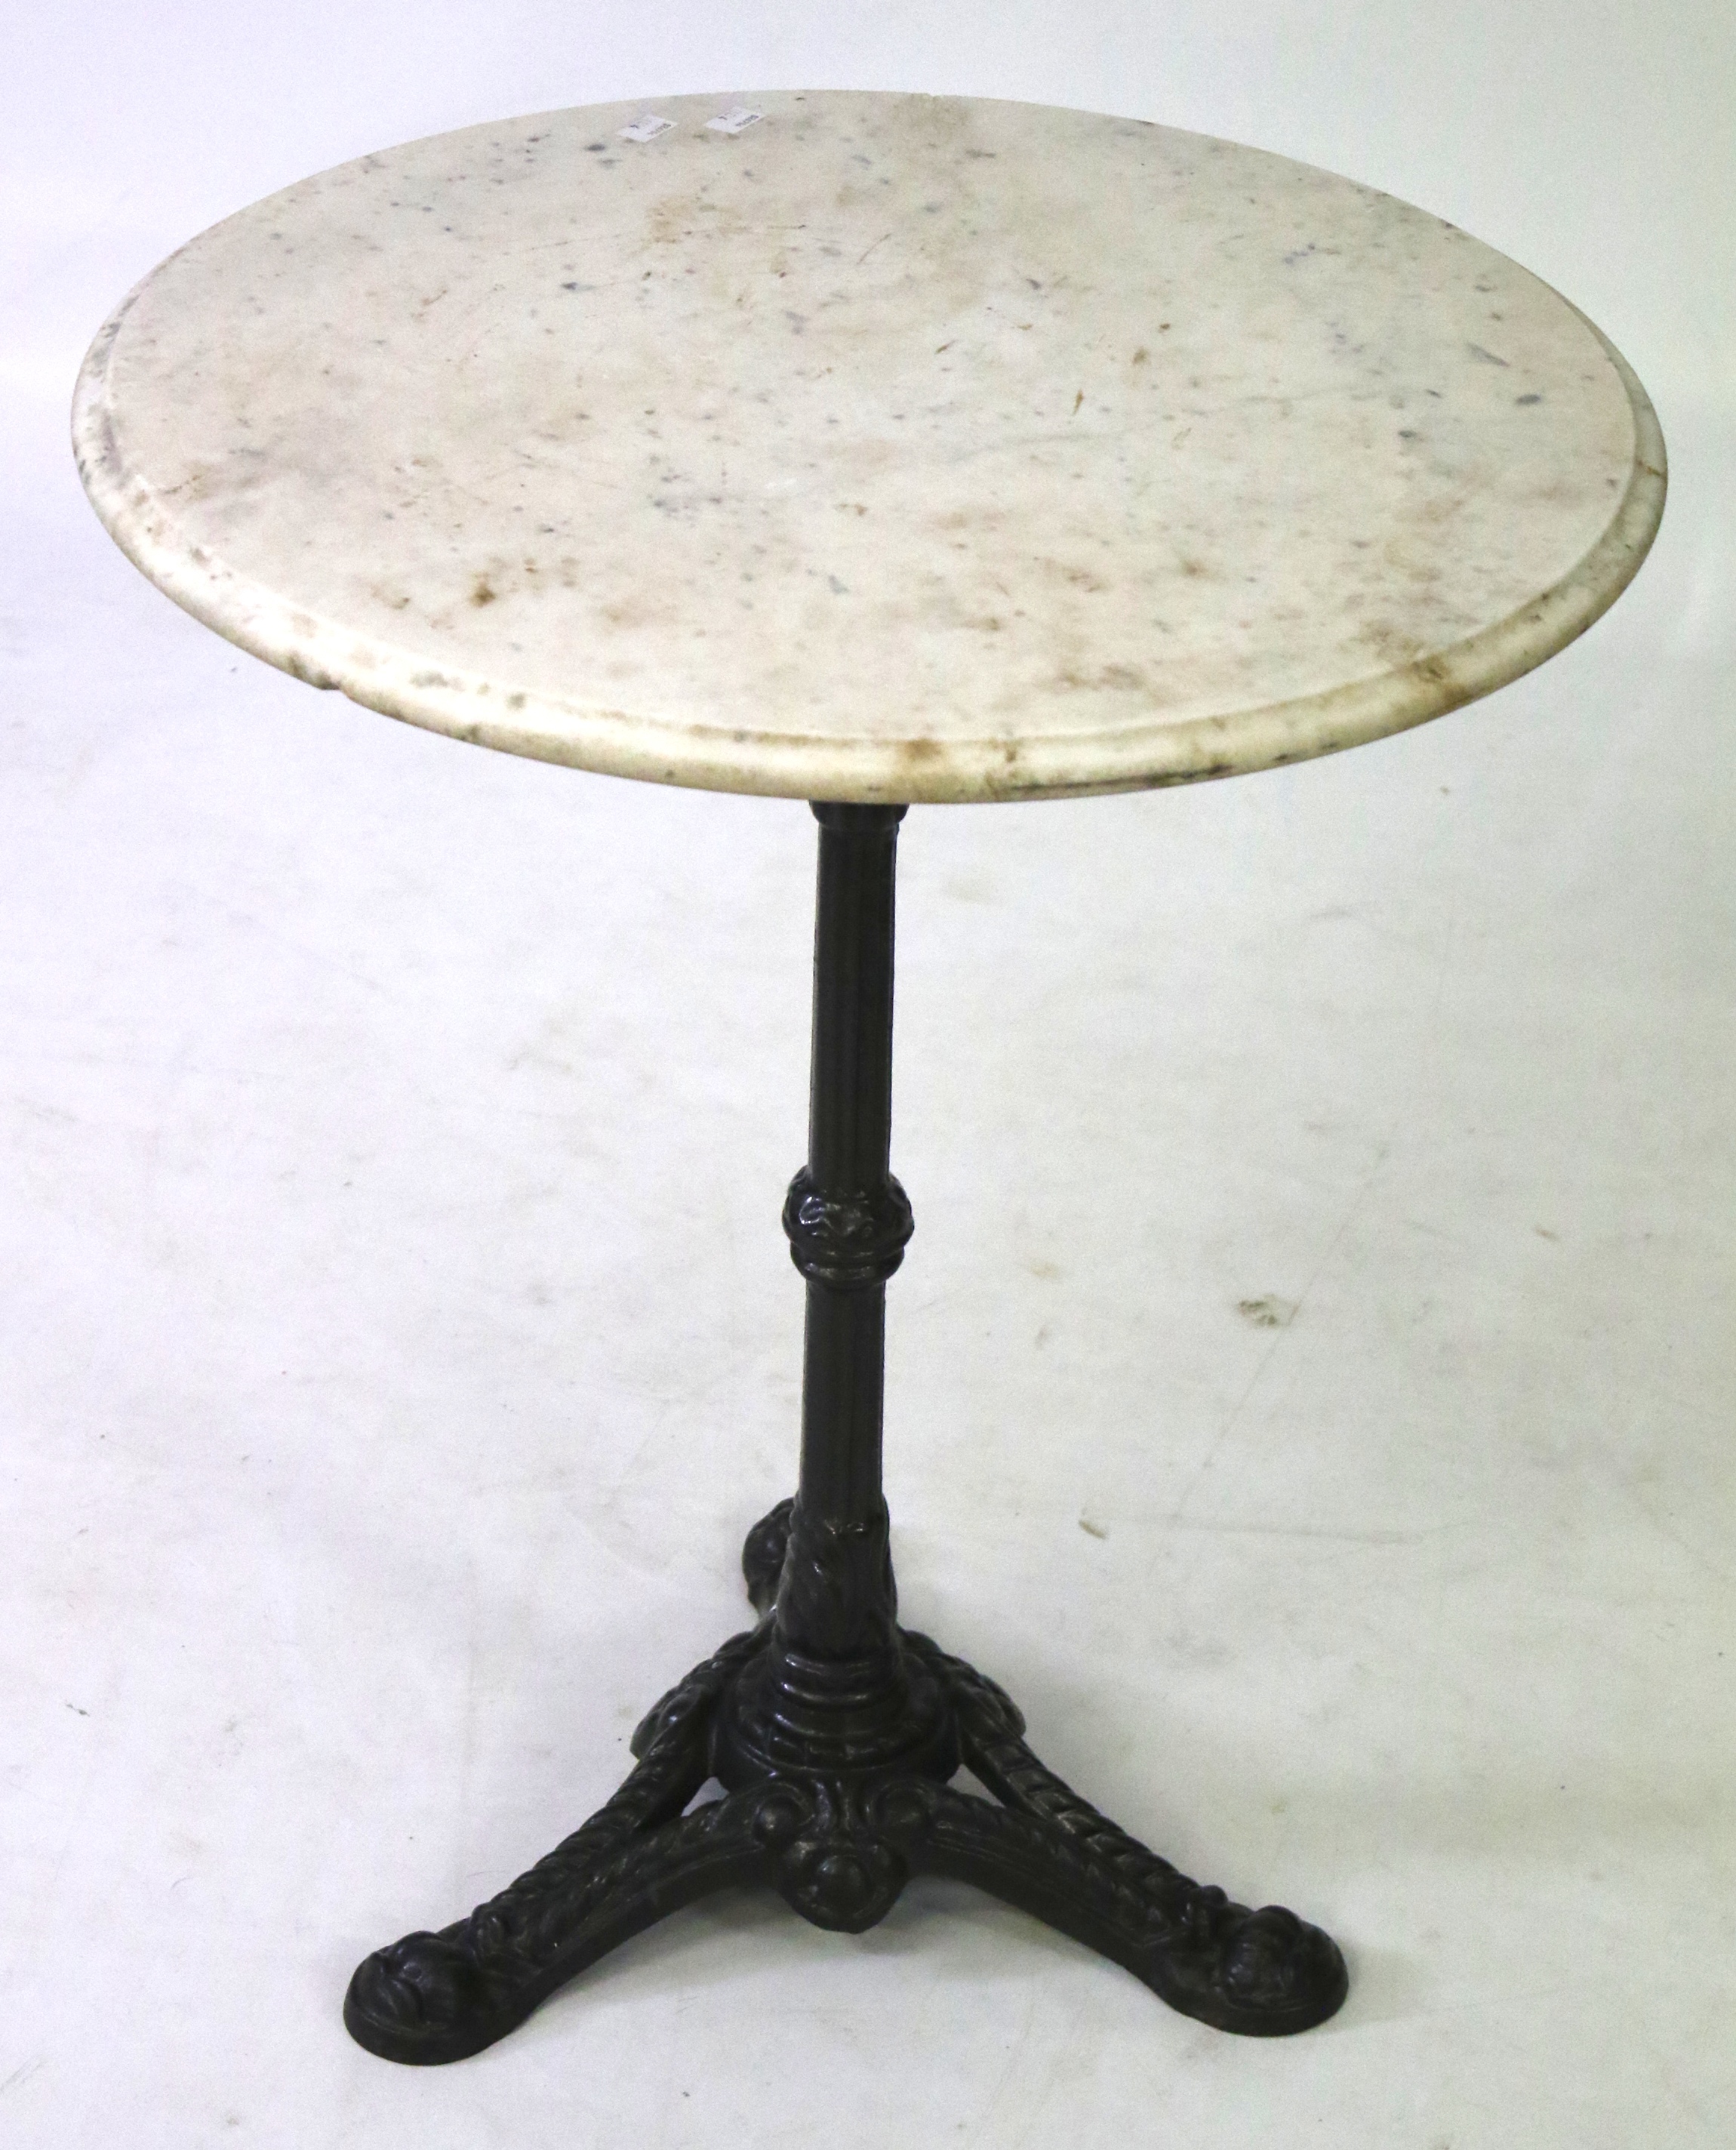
(585, 734)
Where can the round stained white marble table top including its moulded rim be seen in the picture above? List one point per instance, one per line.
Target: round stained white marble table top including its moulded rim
(869, 448)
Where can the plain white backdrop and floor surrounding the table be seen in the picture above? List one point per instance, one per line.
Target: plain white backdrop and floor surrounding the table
(399, 1336)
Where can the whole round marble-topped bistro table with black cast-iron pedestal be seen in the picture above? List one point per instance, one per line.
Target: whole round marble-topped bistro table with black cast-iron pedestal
(873, 450)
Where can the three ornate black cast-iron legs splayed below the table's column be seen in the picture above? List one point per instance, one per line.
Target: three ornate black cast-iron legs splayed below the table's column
(839, 1846)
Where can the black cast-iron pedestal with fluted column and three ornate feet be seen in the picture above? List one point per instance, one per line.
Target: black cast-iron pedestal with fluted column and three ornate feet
(833, 1730)
